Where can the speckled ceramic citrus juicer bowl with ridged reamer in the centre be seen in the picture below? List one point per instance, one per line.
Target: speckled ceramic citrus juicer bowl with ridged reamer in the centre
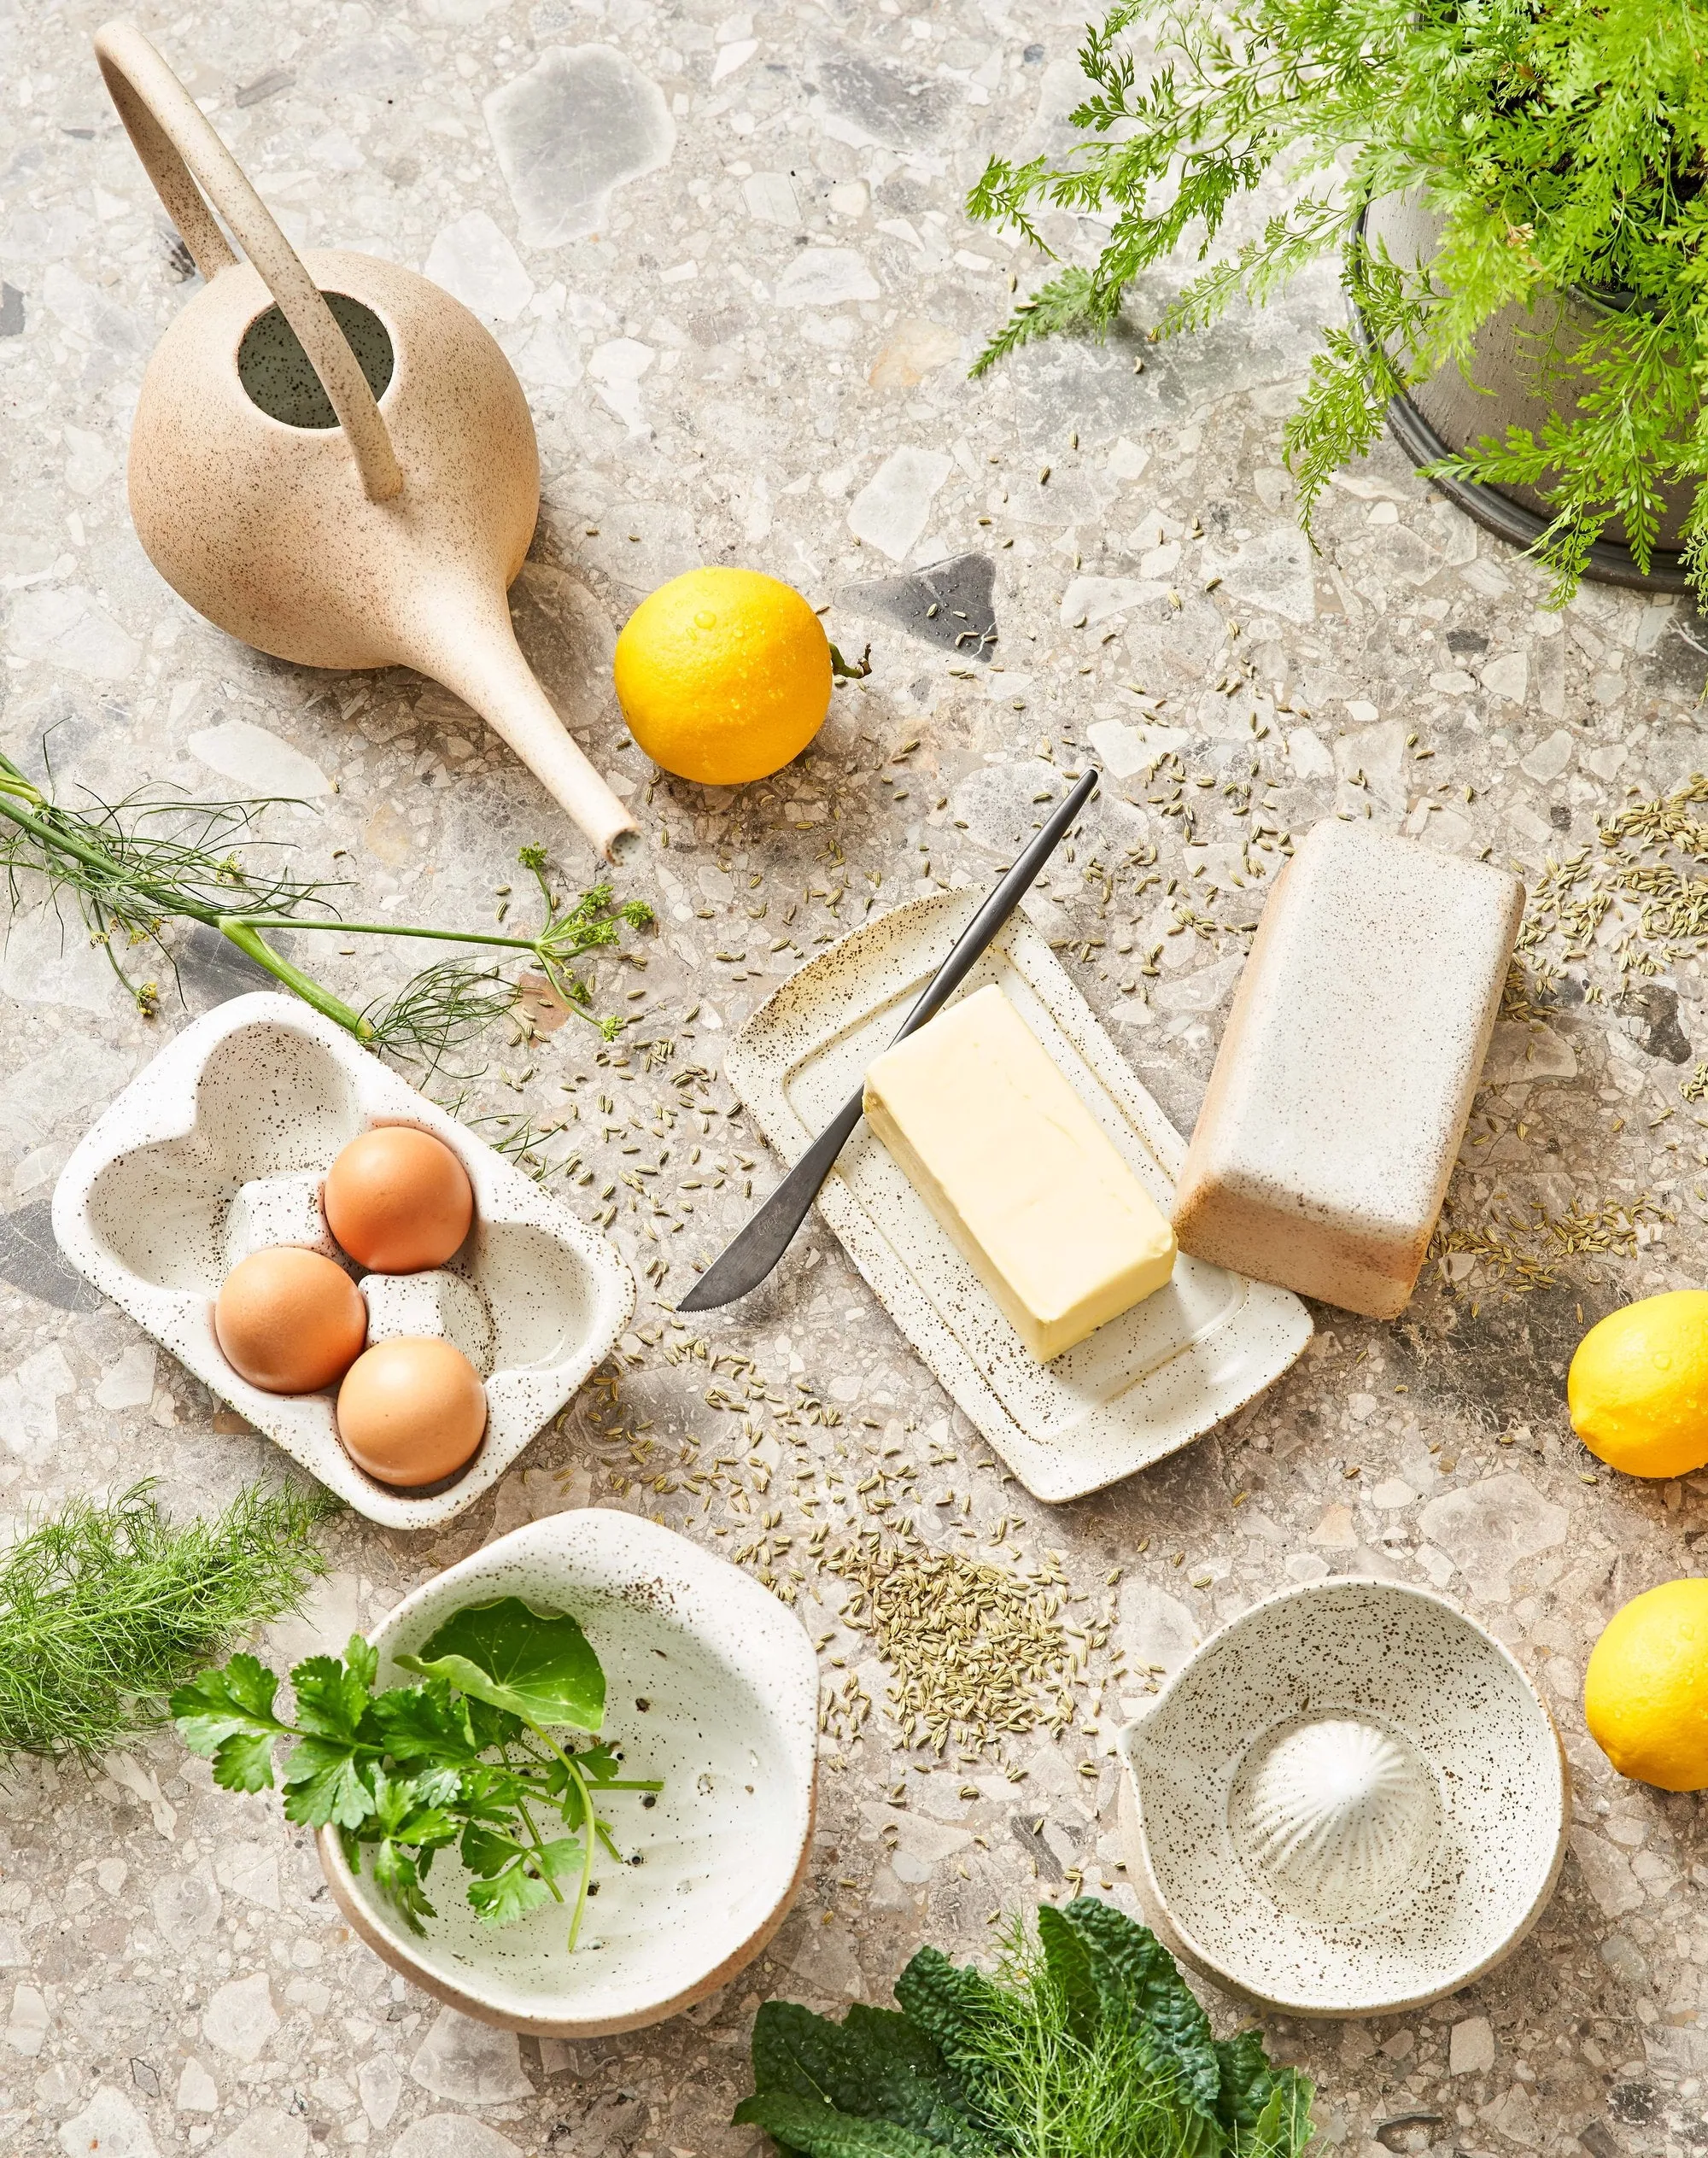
(1351, 1801)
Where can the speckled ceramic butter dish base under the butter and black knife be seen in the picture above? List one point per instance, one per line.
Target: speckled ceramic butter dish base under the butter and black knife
(1141, 1387)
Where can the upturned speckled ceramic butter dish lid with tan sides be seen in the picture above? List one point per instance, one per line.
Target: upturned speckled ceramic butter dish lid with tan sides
(1348, 1065)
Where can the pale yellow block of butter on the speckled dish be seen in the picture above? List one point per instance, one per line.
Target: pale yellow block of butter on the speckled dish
(1020, 1173)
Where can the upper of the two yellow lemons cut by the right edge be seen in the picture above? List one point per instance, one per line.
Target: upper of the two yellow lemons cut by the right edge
(1638, 1389)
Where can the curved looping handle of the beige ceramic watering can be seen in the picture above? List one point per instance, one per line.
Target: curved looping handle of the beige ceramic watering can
(191, 167)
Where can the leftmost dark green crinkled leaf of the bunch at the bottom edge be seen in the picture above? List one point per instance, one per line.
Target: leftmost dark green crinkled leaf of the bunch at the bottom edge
(863, 2066)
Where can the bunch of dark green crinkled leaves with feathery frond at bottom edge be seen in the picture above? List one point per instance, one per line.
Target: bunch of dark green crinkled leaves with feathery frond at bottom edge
(1083, 2045)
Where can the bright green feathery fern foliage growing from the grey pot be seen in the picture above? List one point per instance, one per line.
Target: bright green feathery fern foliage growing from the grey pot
(1562, 144)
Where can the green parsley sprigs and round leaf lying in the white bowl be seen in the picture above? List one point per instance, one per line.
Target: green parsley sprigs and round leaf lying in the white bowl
(407, 1773)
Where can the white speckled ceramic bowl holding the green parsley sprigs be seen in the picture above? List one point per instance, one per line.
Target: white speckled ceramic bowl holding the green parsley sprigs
(731, 1725)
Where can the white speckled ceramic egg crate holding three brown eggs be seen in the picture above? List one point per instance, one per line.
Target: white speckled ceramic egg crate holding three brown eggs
(219, 1149)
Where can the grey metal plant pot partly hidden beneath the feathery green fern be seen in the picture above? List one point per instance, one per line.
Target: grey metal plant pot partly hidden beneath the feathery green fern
(1502, 390)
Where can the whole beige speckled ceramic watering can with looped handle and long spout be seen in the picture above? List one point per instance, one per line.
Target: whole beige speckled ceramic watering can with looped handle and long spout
(331, 456)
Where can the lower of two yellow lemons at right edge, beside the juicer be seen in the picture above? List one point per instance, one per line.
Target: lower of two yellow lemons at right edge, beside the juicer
(1646, 1691)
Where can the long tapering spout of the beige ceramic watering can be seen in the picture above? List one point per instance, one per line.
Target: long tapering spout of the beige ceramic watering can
(470, 646)
